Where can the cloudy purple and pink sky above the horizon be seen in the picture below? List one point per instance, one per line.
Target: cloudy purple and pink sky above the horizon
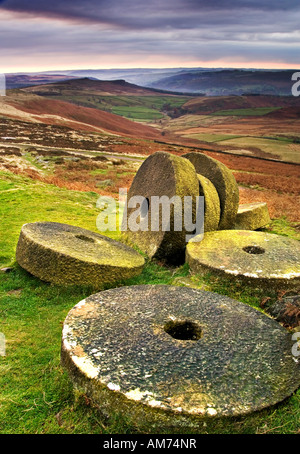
(41, 35)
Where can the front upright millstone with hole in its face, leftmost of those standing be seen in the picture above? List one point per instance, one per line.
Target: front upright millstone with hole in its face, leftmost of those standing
(161, 177)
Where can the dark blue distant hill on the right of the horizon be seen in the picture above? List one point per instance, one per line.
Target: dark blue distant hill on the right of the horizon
(229, 82)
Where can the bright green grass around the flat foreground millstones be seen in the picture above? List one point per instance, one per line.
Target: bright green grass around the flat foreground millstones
(37, 396)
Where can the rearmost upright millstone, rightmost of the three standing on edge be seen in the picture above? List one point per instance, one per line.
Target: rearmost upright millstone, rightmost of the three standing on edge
(223, 180)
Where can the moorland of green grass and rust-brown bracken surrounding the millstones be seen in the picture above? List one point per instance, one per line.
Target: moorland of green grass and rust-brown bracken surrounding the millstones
(54, 165)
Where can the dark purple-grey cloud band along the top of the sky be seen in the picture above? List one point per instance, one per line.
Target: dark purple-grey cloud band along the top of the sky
(182, 14)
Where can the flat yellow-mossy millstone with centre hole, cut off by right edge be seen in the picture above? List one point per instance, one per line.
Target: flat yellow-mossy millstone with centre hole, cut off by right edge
(254, 257)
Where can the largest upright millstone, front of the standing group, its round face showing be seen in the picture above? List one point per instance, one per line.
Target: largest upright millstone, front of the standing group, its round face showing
(163, 174)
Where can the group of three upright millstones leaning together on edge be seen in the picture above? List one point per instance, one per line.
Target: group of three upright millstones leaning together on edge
(192, 175)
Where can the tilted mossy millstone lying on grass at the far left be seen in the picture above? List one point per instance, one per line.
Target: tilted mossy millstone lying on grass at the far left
(65, 254)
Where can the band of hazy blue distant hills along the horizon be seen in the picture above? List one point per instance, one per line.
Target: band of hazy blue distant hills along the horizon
(209, 81)
